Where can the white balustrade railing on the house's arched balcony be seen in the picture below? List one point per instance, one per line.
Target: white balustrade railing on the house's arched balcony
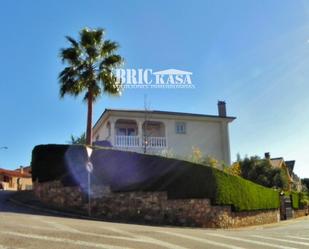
(135, 141)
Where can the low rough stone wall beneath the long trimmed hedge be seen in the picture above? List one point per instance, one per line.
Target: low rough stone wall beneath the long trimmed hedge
(150, 207)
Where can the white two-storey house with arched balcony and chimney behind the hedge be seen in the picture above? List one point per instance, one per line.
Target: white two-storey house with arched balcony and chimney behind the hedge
(155, 131)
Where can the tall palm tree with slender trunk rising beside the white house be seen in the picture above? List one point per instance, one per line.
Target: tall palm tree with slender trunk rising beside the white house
(91, 62)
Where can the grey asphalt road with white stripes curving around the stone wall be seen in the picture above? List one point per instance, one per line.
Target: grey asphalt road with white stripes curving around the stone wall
(24, 228)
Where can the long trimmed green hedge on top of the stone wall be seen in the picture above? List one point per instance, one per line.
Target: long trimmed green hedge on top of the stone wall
(129, 171)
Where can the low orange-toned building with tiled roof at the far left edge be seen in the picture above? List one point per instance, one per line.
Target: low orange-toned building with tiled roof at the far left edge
(18, 179)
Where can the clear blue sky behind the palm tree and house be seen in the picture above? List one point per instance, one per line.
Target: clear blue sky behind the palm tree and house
(252, 54)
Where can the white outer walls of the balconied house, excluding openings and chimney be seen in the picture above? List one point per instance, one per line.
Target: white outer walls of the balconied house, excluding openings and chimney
(209, 134)
